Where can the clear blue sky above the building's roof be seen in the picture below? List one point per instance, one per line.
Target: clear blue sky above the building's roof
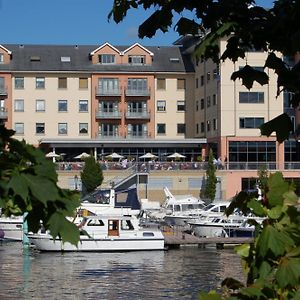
(75, 22)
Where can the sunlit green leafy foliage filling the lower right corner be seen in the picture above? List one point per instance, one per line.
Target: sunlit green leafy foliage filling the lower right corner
(272, 261)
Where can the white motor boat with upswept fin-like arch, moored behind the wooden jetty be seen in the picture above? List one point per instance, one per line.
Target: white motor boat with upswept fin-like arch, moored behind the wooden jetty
(182, 206)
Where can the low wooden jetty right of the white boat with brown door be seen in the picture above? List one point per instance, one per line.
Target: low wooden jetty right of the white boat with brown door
(175, 239)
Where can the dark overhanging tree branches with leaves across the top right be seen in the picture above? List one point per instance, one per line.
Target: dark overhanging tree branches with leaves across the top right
(247, 26)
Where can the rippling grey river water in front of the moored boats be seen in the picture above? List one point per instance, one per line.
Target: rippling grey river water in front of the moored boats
(174, 274)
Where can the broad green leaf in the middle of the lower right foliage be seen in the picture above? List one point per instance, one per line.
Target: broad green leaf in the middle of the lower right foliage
(274, 241)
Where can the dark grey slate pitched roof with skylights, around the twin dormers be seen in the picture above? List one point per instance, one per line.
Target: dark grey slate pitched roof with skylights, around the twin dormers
(48, 58)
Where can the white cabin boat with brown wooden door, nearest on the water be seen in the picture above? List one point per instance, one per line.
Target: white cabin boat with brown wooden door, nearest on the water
(105, 233)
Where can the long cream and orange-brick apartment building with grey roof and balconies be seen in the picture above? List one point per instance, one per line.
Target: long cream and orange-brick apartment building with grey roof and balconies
(135, 99)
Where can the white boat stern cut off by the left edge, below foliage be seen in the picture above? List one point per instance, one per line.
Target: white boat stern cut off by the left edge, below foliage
(12, 228)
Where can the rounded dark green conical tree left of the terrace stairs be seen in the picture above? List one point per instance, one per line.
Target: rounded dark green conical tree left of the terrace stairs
(91, 175)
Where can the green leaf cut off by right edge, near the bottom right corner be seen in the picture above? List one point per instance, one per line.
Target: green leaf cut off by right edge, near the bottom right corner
(288, 272)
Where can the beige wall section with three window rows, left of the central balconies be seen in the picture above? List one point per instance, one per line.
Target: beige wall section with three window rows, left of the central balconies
(55, 107)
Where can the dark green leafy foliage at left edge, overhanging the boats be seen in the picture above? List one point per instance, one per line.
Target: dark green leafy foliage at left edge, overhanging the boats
(28, 183)
